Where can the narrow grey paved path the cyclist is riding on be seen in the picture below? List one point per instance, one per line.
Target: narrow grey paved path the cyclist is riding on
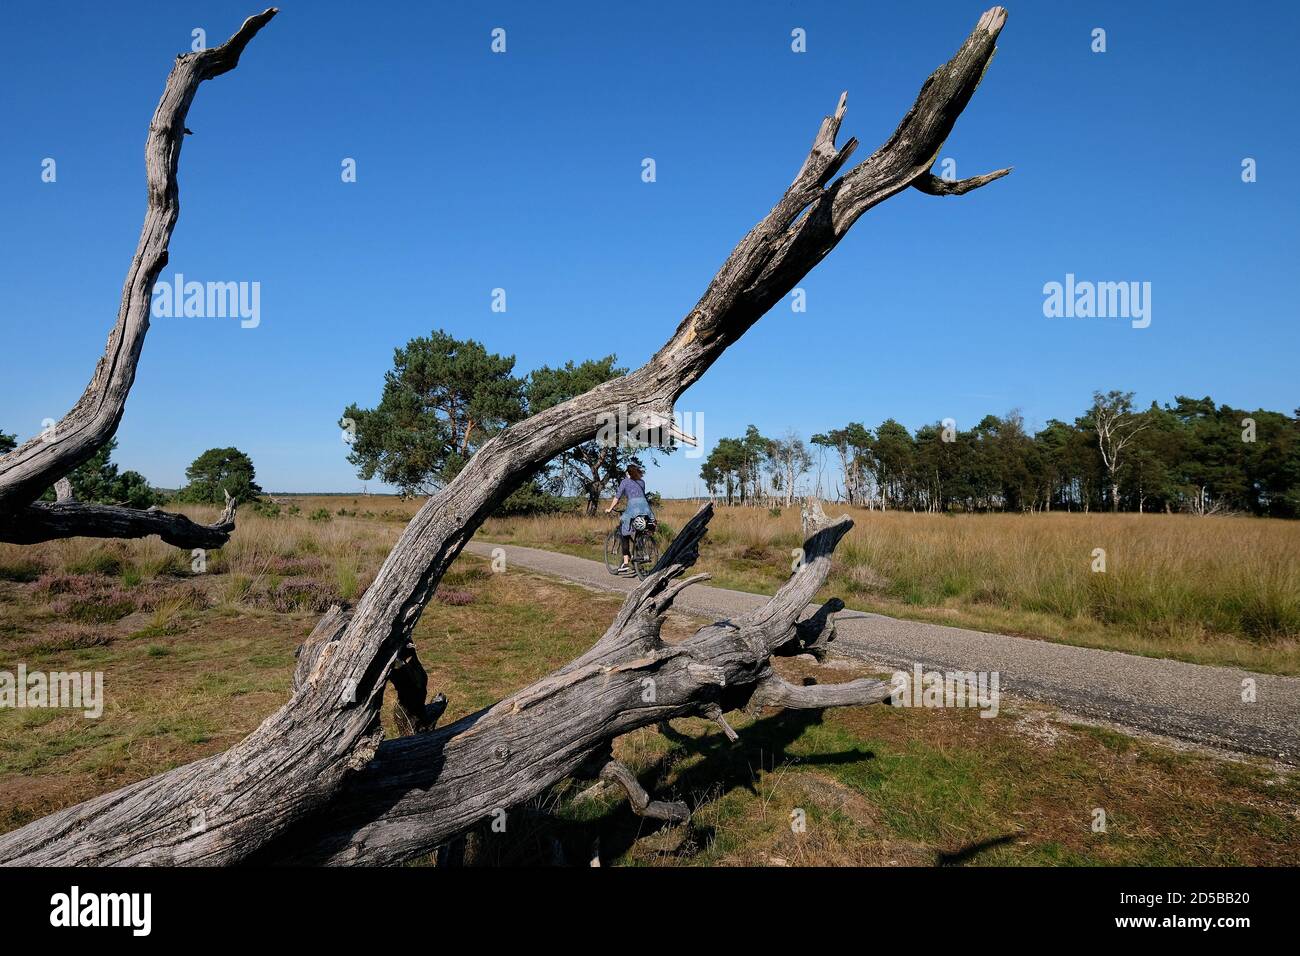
(1188, 702)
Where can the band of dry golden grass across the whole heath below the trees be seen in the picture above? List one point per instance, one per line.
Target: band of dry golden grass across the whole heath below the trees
(1204, 590)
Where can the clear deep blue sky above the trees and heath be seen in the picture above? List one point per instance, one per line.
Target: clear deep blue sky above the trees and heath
(523, 171)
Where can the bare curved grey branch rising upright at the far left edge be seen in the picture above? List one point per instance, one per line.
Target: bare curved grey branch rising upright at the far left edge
(36, 465)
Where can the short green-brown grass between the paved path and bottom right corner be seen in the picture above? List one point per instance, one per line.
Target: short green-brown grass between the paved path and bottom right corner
(882, 786)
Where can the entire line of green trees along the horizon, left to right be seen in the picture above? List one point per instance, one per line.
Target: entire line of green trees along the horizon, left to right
(445, 397)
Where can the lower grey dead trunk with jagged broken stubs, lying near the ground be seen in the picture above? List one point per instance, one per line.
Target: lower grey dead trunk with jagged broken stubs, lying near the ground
(419, 791)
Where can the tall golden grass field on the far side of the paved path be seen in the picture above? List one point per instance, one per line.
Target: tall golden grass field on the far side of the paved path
(1221, 591)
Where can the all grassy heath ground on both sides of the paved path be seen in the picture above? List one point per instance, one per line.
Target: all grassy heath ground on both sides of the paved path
(193, 661)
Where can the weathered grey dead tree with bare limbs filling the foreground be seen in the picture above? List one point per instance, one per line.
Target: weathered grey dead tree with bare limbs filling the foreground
(315, 781)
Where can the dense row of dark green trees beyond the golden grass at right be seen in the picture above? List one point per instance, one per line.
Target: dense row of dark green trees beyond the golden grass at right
(1188, 457)
